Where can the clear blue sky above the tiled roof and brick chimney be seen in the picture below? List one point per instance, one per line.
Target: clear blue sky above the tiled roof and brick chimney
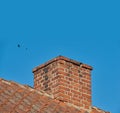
(84, 30)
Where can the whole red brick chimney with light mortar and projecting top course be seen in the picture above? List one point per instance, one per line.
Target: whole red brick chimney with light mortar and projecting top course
(67, 80)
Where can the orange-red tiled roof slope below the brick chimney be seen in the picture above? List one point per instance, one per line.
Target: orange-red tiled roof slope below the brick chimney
(16, 98)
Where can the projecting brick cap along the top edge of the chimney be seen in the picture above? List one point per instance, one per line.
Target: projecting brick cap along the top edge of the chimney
(65, 59)
